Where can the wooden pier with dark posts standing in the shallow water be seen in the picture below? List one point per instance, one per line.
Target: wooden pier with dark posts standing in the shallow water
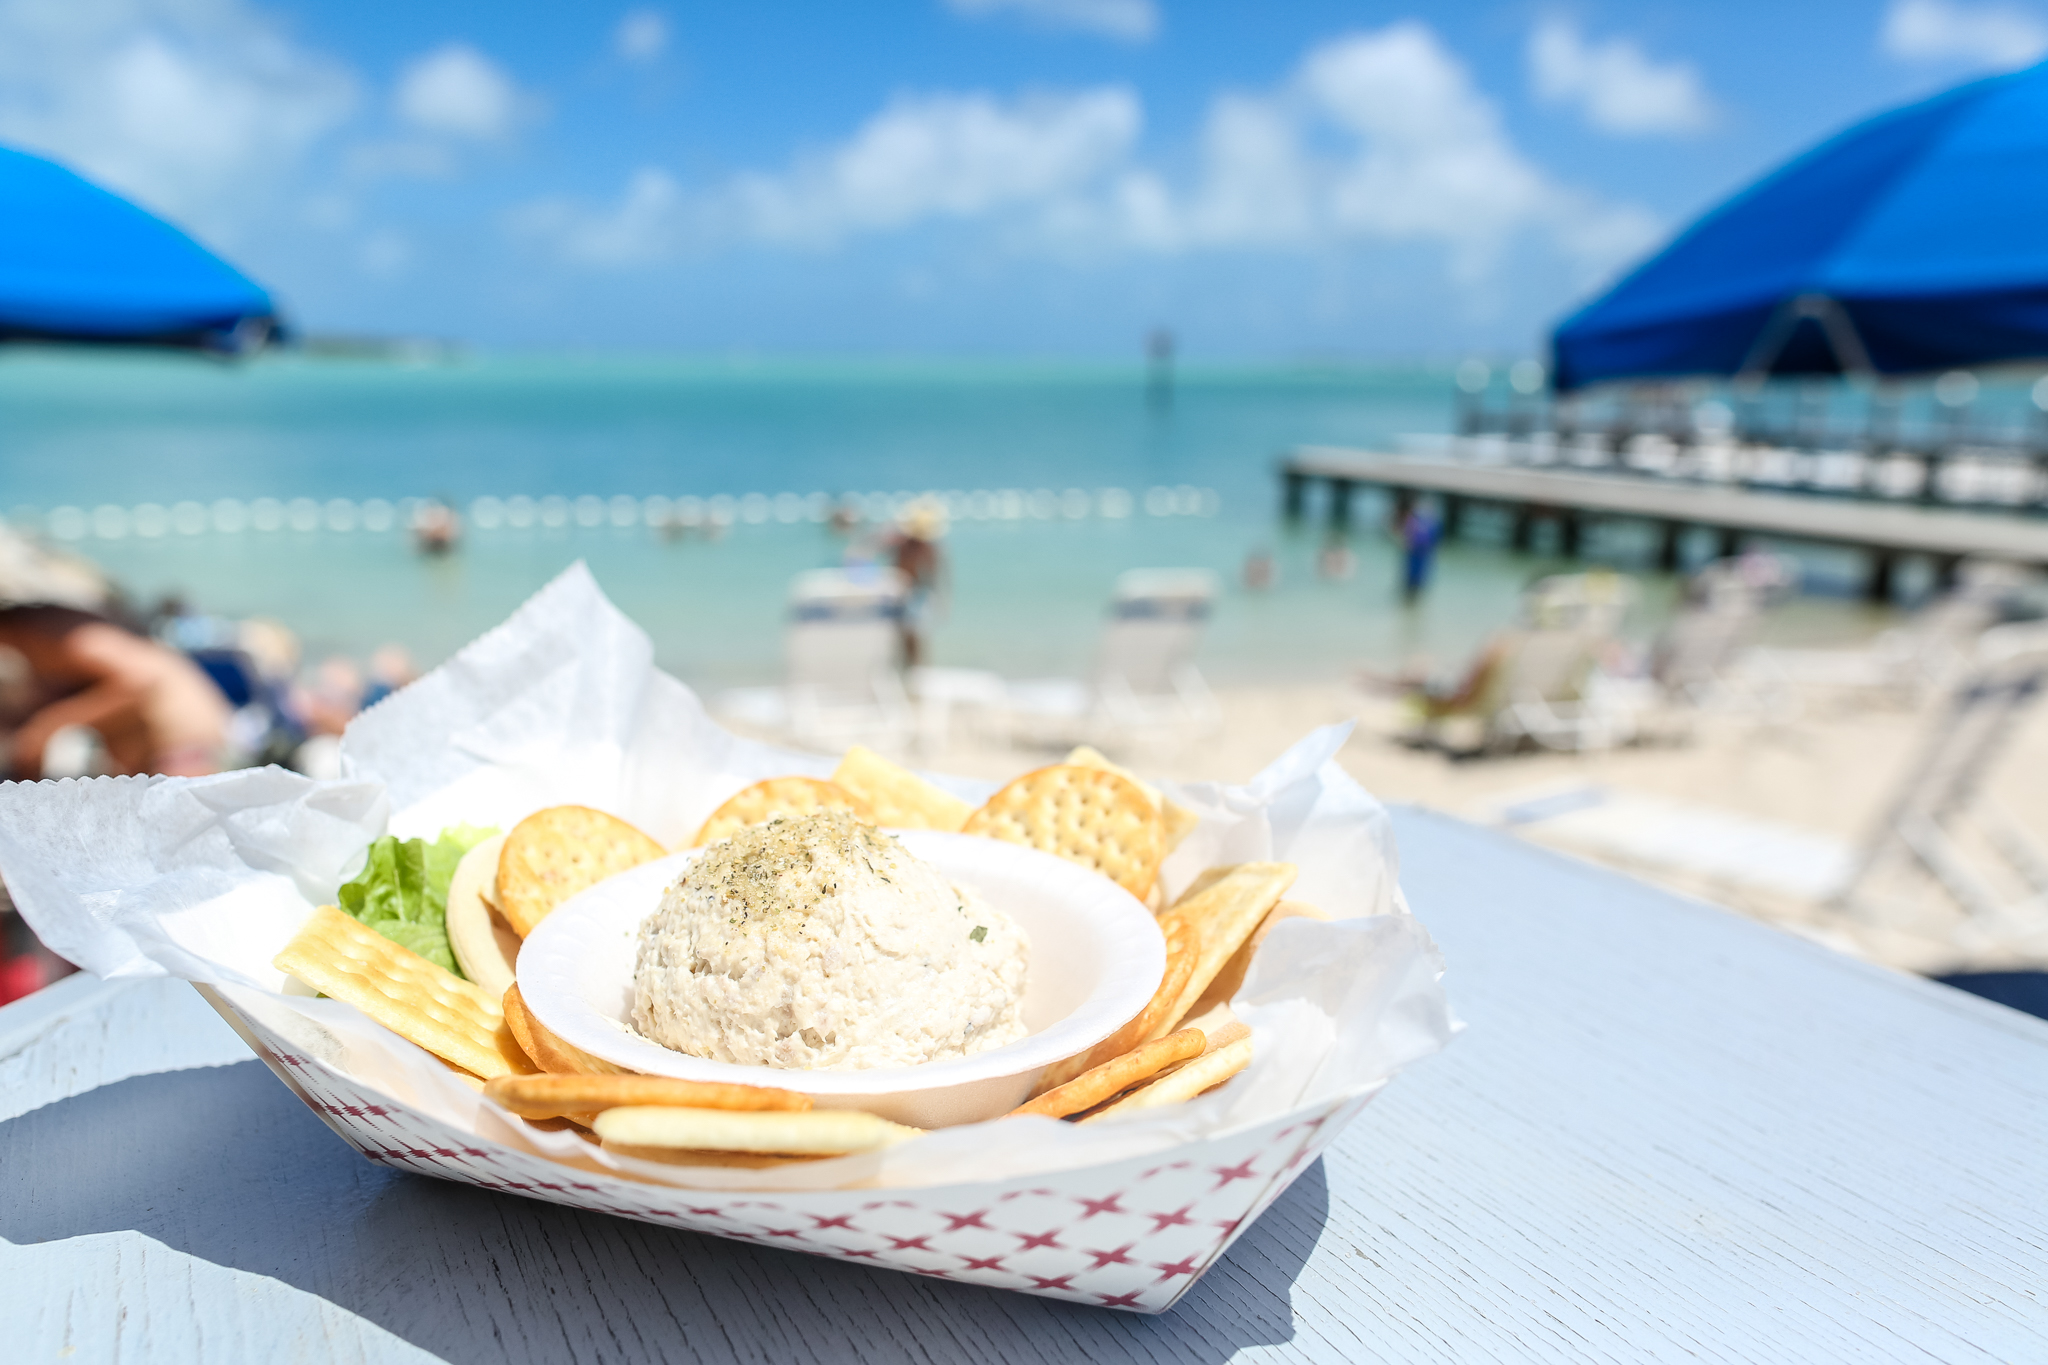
(1883, 531)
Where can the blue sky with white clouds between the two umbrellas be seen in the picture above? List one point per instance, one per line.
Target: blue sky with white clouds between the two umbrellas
(957, 177)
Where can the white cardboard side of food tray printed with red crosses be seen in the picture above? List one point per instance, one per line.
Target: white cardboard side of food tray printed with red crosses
(1129, 1235)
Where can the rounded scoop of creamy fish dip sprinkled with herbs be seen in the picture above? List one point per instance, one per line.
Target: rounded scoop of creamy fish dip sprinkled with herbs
(820, 942)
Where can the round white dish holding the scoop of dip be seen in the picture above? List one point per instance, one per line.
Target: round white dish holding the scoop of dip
(1097, 957)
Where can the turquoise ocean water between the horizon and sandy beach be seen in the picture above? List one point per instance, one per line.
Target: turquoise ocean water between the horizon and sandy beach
(148, 464)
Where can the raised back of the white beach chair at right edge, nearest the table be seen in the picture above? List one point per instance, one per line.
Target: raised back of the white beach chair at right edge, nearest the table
(1945, 826)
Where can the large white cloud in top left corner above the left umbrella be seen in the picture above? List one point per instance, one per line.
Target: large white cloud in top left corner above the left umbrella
(196, 107)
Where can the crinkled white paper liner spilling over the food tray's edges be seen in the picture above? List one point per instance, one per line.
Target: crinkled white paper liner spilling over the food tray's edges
(208, 879)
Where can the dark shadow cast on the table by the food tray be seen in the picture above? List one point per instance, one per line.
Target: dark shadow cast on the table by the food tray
(228, 1168)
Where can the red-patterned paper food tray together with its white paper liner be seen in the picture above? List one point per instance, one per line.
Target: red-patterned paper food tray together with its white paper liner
(208, 879)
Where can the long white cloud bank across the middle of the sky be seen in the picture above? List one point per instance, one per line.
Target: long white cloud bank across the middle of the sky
(1373, 138)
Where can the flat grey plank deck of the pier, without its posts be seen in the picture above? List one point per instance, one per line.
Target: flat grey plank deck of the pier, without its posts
(1830, 521)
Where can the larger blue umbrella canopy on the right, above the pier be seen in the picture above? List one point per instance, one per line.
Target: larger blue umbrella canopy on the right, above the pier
(1914, 243)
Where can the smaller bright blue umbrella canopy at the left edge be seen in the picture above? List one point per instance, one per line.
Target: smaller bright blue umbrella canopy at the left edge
(83, 265)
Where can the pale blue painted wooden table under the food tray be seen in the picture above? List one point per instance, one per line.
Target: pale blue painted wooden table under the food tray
(1670, 1135)
